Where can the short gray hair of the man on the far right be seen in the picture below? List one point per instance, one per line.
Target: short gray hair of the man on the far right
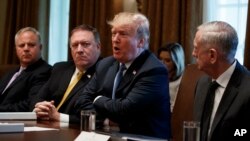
(222, 35)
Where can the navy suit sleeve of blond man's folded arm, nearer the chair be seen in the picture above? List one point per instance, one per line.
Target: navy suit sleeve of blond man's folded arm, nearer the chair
(149, 89)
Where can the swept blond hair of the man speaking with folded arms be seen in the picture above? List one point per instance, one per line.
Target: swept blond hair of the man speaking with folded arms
(138, 22)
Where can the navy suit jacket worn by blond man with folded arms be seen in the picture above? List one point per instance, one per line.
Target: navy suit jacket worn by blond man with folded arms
(142, 99)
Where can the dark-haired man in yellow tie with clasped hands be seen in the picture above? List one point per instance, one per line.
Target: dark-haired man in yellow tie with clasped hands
(56, 100)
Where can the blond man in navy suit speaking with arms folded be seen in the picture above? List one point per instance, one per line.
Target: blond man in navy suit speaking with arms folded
(140, 103)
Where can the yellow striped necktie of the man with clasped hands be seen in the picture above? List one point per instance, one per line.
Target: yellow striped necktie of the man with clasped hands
(70, 87)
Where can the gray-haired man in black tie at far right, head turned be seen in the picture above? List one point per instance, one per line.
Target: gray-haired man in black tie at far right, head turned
(215, 45)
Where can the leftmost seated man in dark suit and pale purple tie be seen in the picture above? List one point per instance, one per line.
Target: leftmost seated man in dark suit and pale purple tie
(21, 84)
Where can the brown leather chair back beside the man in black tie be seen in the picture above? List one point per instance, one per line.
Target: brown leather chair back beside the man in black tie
(183, 108)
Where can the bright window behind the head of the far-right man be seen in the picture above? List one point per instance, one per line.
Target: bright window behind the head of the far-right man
(233, 12)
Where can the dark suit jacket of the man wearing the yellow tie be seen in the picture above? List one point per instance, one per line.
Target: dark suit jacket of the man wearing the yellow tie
(56, 86)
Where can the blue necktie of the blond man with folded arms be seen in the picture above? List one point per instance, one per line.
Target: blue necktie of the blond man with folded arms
(118, 78)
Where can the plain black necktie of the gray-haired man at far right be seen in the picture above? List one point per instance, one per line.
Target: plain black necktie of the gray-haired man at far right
(208, 108)
